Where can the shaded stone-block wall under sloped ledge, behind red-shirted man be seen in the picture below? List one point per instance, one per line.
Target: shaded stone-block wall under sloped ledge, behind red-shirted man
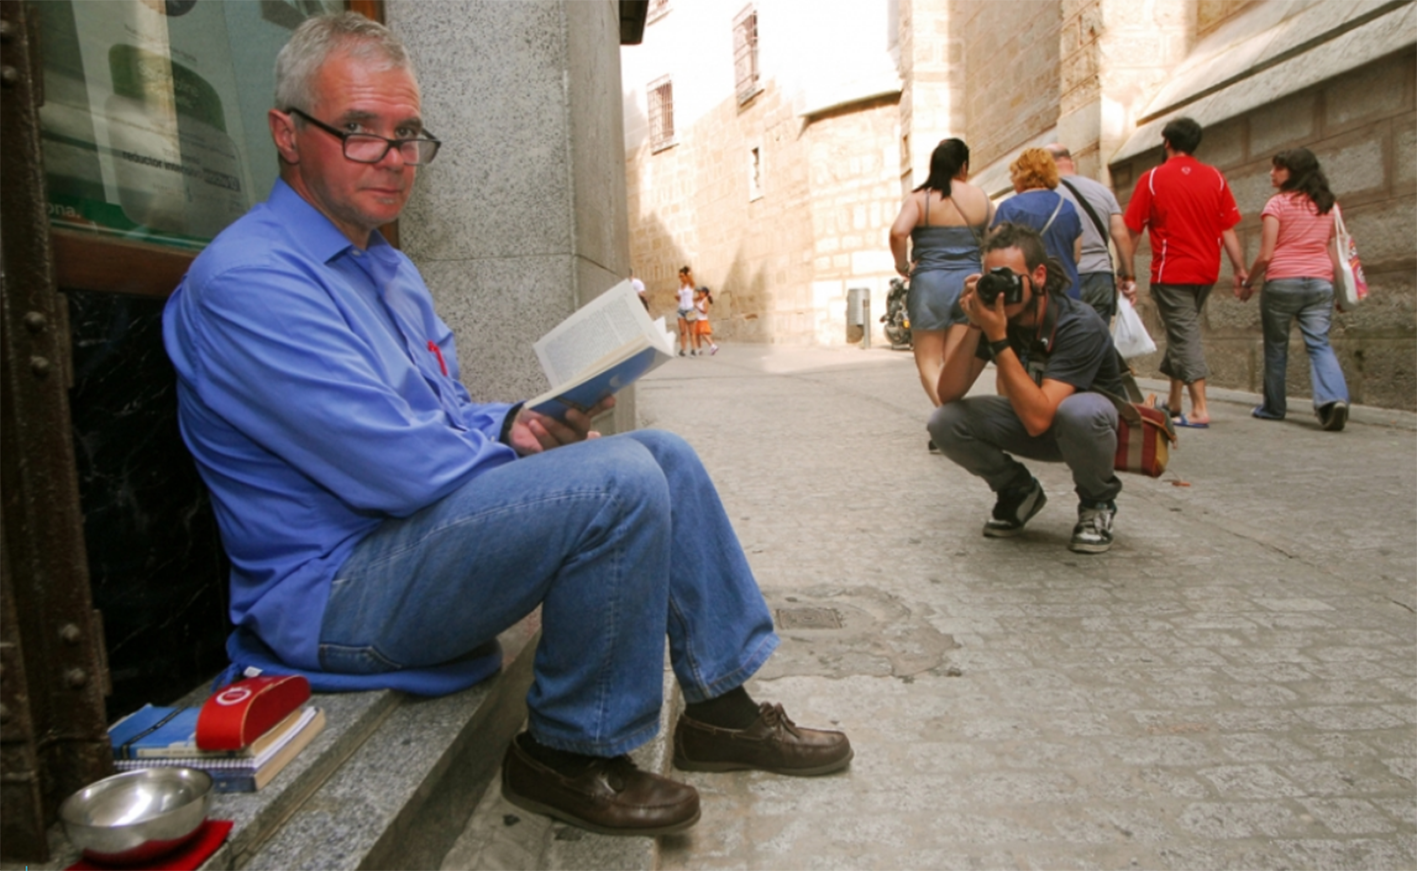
(1364, 130)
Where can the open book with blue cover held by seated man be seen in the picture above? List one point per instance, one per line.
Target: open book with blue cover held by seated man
(604, 346)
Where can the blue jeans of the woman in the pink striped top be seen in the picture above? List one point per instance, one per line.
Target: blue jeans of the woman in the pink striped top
(1311, 302)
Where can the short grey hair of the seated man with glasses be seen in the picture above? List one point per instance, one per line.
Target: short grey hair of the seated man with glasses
(322, 36)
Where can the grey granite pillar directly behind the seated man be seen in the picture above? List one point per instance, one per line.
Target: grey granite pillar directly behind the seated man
(524, 216)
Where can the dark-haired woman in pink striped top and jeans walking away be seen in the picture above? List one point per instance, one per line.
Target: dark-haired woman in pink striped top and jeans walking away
(1299, 285)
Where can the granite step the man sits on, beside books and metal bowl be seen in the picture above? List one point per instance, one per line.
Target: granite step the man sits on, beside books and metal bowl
(389, 784)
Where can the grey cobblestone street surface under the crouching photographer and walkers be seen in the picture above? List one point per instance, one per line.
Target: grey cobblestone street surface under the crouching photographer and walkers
(1232, 688)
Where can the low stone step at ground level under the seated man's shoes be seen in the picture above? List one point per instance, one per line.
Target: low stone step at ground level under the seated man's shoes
(504, 838)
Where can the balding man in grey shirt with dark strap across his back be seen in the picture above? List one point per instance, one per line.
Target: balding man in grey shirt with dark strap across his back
(1102, 222)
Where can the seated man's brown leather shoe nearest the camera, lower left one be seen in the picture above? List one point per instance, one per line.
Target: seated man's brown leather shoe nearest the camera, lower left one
(611, 797)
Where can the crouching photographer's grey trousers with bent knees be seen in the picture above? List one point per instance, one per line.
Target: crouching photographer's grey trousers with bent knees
(981, 433)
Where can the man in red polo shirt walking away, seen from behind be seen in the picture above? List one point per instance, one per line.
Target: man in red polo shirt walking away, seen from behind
(1191, 215)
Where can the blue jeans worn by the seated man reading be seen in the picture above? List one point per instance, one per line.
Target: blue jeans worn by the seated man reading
(620, 540)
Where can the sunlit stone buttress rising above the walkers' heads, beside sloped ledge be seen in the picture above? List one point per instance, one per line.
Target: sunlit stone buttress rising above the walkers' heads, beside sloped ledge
(1116, 56)
